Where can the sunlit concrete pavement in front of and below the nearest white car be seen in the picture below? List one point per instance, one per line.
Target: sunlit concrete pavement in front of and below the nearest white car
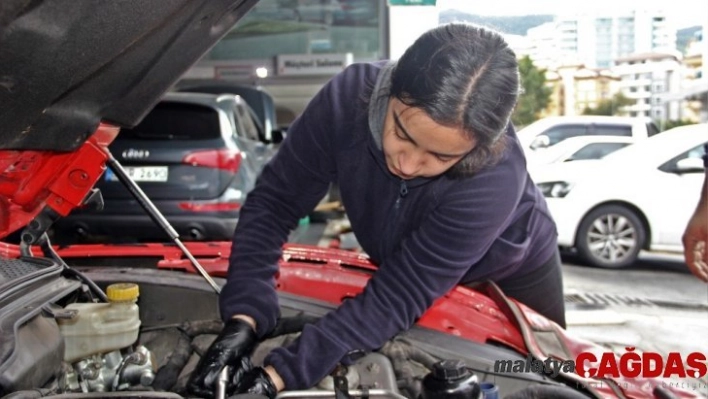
(655, 306)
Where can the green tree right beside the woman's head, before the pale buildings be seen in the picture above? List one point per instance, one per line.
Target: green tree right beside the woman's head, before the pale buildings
(535, 95)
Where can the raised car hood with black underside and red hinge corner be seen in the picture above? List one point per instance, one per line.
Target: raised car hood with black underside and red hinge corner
(67, 68)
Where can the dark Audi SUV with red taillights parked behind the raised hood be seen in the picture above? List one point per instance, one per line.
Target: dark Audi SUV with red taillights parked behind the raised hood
(196, 155)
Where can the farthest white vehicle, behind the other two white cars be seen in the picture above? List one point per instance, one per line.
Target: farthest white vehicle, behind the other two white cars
(552, 130)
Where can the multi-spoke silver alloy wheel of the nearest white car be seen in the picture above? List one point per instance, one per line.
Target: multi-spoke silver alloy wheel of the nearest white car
(610, 236)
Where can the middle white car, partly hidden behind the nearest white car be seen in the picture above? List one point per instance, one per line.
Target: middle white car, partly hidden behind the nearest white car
(578, 149)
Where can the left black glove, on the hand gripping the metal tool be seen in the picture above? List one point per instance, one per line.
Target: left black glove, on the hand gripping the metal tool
(233, 347)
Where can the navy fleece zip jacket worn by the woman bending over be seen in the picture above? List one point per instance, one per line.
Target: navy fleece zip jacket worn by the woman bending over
(426, 235)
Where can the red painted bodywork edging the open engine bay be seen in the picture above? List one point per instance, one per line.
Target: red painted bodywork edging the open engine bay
(332, 275)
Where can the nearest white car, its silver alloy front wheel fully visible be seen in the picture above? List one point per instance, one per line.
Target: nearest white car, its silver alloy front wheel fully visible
(637, 198)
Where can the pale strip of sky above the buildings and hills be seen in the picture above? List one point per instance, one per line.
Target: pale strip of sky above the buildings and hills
(685, 13)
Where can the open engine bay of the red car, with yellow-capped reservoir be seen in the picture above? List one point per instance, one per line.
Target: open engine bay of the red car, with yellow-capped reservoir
(61, 339)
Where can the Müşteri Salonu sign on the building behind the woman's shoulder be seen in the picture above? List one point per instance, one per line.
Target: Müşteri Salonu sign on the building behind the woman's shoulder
(312, 64)
